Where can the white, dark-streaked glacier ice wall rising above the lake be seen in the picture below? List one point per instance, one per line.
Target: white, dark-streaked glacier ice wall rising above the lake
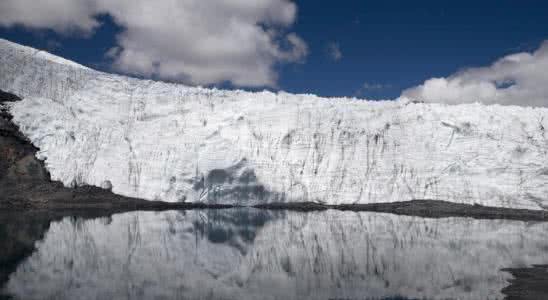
(172, 142)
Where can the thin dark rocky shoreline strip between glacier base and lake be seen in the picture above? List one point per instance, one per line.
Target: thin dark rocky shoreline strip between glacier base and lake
(435, 209)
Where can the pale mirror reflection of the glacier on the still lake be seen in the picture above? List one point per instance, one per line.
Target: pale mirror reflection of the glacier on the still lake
(258, 254)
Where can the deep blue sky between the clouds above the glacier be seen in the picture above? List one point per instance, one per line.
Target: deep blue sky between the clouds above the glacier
(385, 46)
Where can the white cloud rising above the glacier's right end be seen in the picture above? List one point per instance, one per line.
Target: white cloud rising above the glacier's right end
(517, 79)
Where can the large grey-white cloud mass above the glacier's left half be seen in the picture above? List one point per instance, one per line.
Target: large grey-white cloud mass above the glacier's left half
(199, 42)
